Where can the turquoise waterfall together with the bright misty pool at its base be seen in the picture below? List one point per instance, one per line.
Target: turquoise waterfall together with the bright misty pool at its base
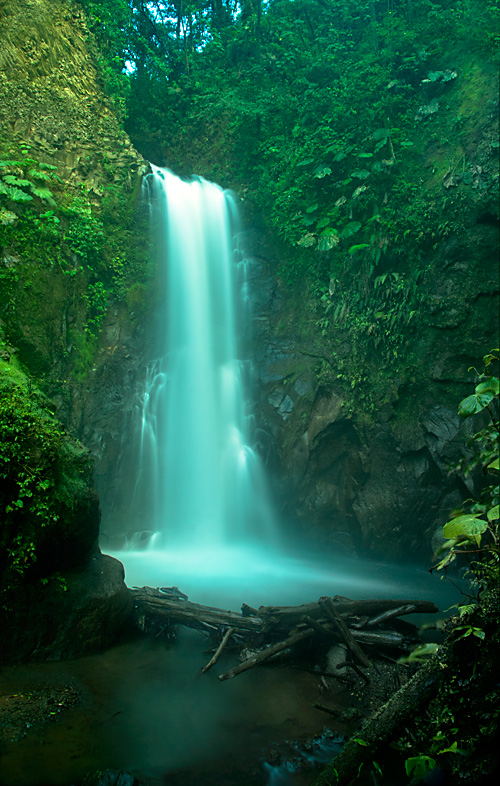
(198, 484)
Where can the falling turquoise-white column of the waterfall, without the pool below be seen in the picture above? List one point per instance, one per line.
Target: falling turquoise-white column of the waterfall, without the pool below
(200, 483)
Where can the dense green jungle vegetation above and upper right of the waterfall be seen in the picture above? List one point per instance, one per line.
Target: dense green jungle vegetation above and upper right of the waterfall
(350, 126)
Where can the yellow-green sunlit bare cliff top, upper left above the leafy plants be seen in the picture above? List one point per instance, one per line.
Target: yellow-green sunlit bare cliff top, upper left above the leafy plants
(51, 98)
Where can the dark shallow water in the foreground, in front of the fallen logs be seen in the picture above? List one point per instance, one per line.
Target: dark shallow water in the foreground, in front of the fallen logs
(146, 708)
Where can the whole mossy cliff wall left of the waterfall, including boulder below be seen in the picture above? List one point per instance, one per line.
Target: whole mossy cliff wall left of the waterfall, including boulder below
(76, 176)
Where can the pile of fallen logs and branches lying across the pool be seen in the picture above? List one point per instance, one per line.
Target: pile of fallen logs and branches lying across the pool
(368, 629)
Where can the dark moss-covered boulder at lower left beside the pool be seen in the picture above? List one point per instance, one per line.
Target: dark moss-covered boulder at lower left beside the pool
(58, 595)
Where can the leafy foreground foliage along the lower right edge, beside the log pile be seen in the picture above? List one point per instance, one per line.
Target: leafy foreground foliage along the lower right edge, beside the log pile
(457, 730)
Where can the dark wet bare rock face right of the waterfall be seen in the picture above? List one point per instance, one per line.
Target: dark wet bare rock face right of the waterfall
(374, 483)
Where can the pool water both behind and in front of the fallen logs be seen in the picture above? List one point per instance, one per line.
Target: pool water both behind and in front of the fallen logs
(145, 707)
